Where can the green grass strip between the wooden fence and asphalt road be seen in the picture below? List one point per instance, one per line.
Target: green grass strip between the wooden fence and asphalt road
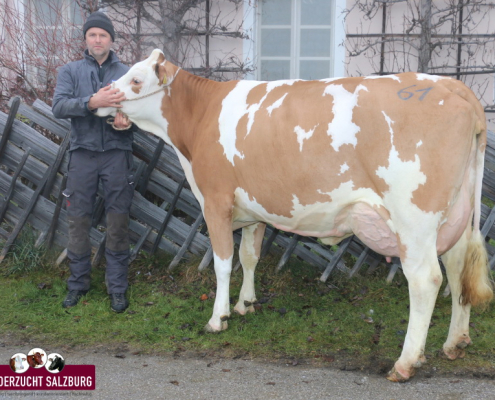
(361, 319)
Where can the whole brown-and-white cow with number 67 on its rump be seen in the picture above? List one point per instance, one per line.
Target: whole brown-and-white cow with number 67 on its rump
(396, 160)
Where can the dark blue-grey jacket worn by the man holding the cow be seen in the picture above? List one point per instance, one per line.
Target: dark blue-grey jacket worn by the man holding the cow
(77, 81)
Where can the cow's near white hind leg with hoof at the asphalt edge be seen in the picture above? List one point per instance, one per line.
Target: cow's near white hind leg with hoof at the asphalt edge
(424, 279)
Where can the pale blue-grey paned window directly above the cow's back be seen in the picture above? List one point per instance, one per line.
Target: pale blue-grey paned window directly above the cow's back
(295, 39)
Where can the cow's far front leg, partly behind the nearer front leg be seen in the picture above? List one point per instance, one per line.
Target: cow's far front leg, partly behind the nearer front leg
(249, 254)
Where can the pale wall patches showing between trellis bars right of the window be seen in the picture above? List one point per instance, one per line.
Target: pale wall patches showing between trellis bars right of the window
(400, 56)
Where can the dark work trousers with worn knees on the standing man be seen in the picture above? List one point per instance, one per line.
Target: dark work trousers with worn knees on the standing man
(86, 169)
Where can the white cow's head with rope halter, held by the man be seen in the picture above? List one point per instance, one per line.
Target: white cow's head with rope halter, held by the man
(144, 86)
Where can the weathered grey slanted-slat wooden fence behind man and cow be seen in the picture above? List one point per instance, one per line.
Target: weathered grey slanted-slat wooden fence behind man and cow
(164, 214)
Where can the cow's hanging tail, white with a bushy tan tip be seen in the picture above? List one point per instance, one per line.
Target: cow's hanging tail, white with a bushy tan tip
(477, 287)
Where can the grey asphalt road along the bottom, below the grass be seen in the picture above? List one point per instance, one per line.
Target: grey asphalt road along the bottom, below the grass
(134, 376)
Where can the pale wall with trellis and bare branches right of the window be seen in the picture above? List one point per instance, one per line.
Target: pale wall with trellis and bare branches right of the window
(449, 37)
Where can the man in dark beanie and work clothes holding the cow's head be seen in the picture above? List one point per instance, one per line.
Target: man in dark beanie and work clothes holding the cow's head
(97, 151)
